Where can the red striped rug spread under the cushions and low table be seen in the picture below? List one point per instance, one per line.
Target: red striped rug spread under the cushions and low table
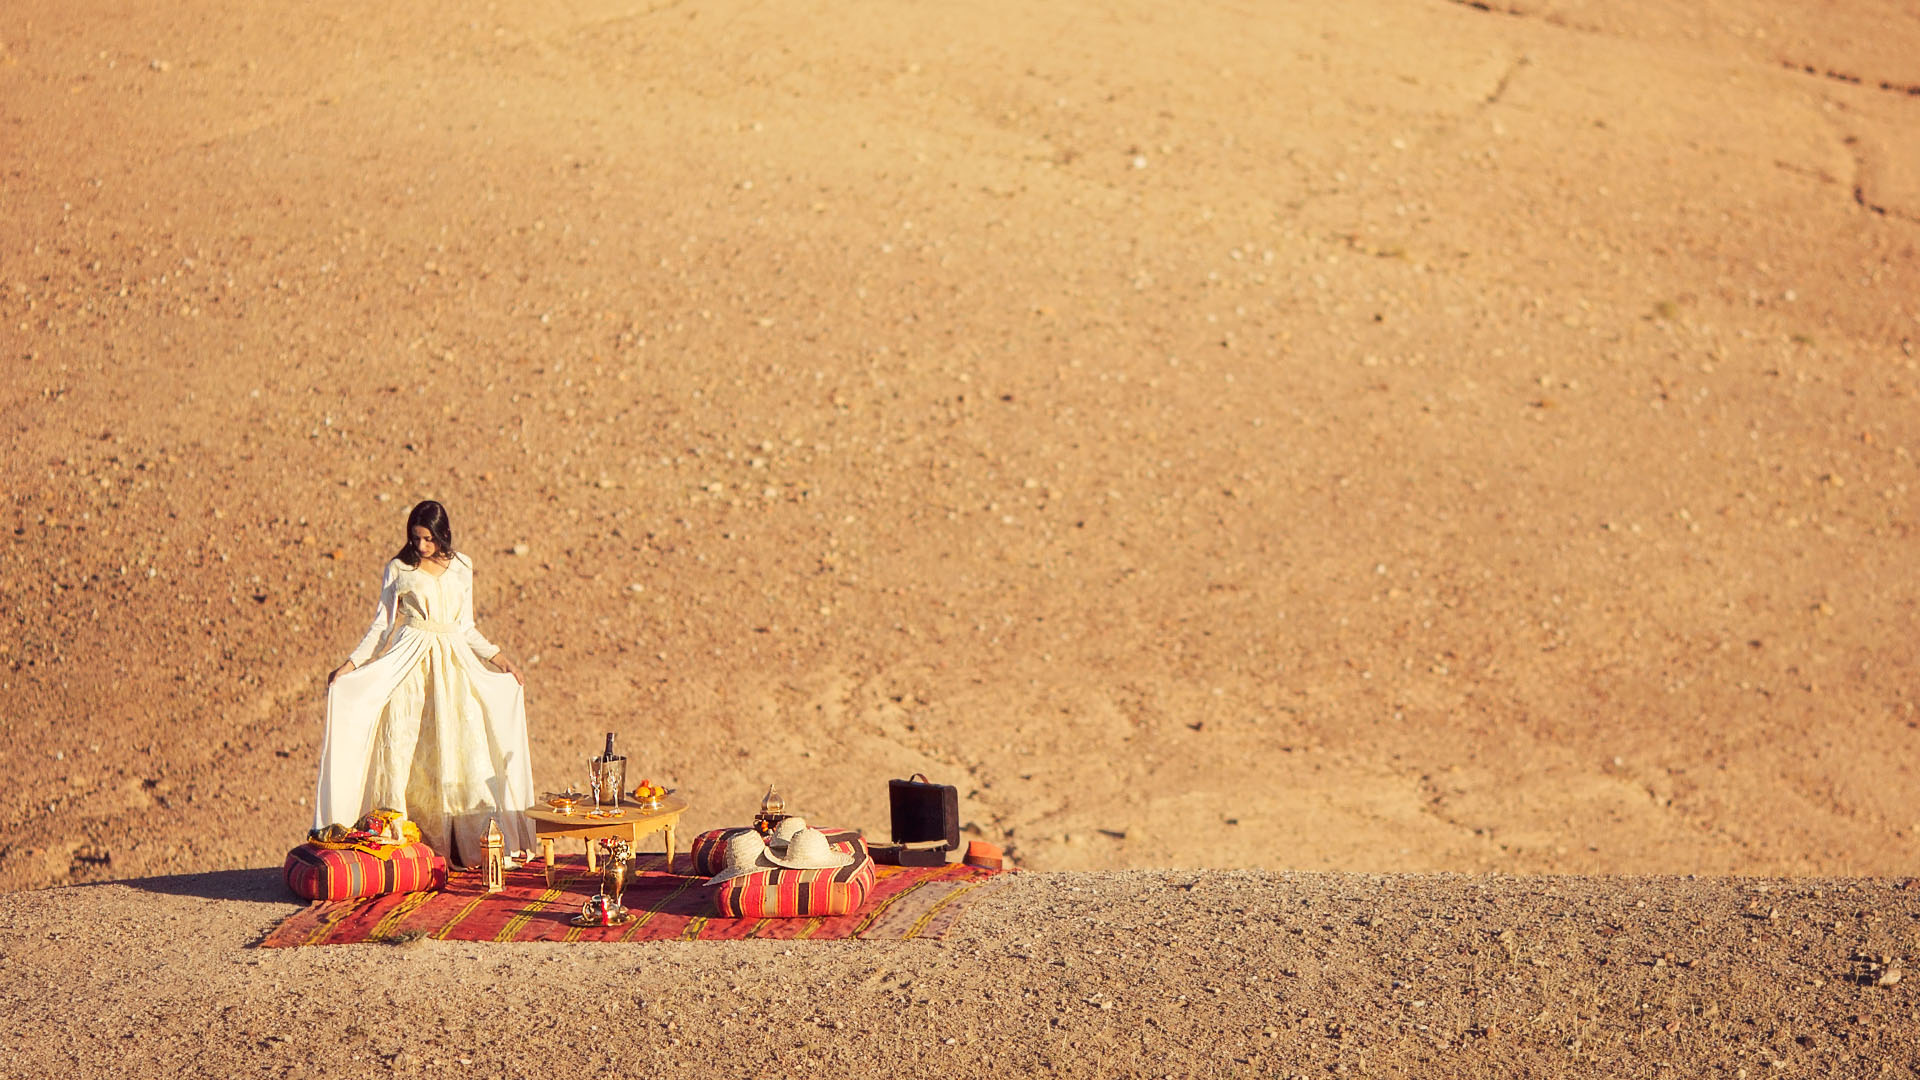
(907, 902)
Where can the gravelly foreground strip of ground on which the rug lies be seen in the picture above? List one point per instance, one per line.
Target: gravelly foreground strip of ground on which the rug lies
(1095, 973)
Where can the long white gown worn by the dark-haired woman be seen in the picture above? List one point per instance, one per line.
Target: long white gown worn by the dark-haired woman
(421, 725)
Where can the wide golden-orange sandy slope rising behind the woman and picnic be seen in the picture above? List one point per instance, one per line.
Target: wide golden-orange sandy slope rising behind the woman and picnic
(1385, 437)
